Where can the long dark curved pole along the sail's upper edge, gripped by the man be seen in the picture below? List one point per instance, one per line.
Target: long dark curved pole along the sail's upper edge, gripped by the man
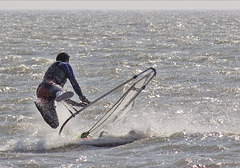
(93, 102)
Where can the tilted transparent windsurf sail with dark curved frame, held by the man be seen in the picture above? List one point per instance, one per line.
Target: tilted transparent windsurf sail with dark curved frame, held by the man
(122, 106)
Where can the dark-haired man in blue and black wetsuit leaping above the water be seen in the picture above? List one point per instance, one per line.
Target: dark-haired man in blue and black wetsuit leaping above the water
(51, 89)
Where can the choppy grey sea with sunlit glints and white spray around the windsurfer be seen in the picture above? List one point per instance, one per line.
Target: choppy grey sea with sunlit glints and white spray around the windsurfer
(189, 114)
